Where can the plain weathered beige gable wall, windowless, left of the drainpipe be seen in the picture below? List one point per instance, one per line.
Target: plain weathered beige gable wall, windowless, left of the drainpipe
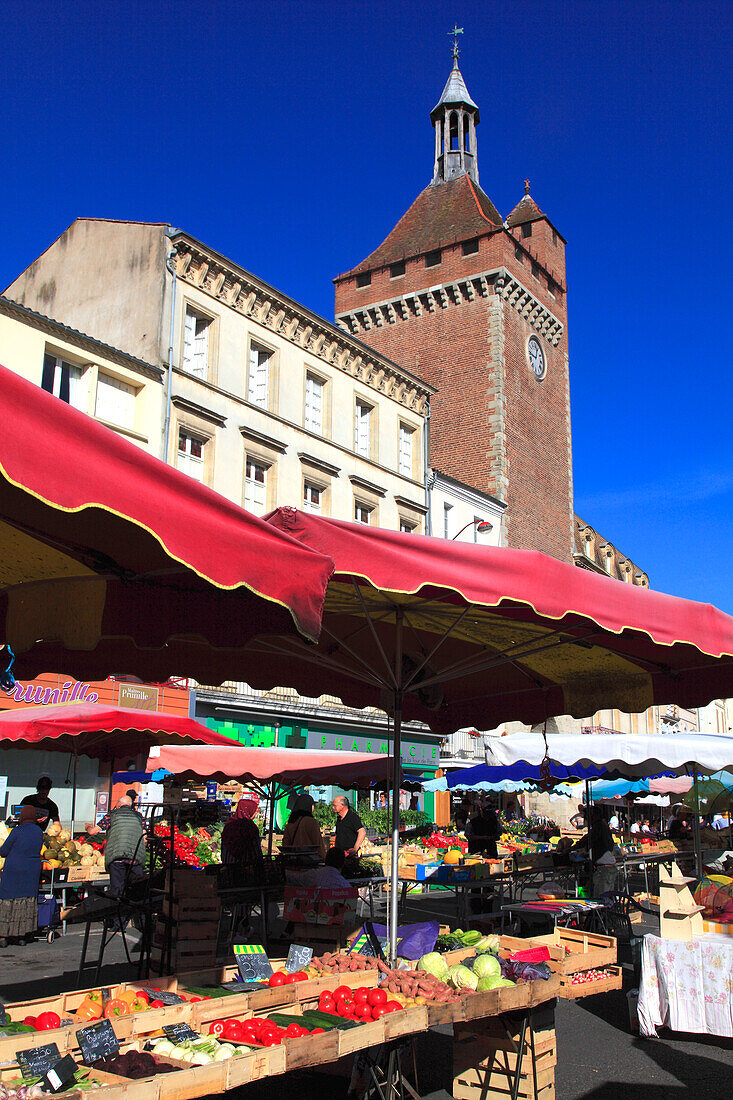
(105, 279)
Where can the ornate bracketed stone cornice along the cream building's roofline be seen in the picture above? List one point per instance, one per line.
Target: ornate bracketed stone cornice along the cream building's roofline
(233, 287)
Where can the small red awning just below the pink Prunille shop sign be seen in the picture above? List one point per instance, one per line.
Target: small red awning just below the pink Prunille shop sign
(103, 733)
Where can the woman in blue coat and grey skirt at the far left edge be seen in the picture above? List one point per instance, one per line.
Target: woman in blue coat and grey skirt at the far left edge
(19, 885)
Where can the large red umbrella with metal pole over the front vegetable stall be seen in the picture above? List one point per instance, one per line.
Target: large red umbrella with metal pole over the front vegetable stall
(461, 636)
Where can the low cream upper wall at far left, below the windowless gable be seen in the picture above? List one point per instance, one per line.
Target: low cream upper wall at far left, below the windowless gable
(25, 344)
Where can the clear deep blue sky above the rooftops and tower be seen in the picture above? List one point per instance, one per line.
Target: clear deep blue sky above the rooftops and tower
(292, 137)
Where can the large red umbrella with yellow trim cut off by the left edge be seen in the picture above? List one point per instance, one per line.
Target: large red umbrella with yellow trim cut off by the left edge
(113, 560)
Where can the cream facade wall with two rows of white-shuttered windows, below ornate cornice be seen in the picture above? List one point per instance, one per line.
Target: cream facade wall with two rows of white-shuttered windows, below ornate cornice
(277, 436)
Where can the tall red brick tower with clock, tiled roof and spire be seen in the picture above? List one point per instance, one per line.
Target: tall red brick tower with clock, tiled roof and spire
(476, 306)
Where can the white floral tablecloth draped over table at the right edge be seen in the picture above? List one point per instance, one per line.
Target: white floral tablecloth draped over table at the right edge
(687, 986)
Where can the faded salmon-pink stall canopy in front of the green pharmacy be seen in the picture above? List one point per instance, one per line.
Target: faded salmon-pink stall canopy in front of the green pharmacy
(286, 767)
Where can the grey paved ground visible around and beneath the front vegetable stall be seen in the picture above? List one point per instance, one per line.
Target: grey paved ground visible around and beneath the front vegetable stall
(598, 1058)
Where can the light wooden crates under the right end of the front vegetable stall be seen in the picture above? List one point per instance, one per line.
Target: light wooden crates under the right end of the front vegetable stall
(483, 1057)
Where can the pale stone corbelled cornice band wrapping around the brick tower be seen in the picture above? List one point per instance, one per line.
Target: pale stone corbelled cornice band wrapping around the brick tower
(453, 295)
